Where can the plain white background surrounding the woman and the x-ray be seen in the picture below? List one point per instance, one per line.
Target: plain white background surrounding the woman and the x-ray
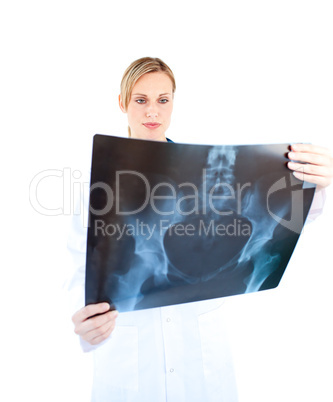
(246, 72)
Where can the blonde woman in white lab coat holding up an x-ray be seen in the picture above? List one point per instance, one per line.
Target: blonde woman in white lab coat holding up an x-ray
(176, 353)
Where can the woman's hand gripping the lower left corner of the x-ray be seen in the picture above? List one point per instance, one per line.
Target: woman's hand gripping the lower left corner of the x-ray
(95, 329)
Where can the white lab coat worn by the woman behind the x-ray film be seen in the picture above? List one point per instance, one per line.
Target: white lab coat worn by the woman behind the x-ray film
(176, 353)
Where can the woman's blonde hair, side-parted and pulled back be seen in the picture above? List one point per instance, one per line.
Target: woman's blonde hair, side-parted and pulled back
(135, 71)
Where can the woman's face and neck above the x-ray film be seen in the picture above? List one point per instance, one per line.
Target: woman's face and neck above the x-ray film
(150, 107)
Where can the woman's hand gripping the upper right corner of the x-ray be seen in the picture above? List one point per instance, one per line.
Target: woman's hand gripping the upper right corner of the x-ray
(311, 163)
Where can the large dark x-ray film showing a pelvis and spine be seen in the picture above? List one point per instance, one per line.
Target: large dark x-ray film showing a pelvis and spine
(174, 223)
